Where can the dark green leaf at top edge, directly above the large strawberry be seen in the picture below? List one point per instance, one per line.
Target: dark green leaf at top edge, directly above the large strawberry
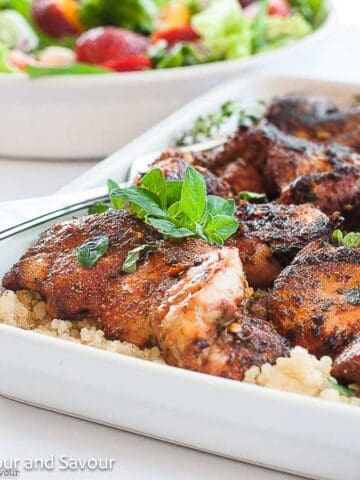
(137, 15)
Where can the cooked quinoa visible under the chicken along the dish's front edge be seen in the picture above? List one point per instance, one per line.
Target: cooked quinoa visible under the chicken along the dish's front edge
(300, 373)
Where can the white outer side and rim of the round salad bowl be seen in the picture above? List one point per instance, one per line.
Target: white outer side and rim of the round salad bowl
(88, 117)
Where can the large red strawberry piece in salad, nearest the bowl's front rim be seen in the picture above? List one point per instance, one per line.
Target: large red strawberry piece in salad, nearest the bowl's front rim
(102, 44)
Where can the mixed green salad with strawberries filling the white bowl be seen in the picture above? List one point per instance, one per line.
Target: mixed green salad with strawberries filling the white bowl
(57, 37)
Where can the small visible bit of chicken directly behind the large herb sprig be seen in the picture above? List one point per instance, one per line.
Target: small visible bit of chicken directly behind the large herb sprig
(174, 164)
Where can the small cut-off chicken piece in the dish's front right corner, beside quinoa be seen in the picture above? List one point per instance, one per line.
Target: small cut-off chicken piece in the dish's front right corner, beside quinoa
(346, 366)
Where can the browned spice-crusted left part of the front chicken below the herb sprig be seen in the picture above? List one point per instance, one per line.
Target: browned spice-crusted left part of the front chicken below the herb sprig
(121, 302)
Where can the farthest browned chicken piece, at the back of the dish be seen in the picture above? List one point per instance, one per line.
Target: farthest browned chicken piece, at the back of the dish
(316, 118)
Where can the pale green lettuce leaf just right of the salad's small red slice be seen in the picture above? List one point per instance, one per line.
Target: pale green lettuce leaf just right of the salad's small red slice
(225, 31)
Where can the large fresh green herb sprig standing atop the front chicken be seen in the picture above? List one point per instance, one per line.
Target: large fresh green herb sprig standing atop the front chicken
(178, 209)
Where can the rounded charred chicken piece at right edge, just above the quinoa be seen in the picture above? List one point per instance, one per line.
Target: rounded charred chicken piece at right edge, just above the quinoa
(315, 302)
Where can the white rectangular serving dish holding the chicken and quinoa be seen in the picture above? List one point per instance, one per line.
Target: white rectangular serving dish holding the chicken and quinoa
(279, 430)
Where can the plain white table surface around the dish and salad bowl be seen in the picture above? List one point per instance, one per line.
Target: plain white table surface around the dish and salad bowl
(28, 432)
